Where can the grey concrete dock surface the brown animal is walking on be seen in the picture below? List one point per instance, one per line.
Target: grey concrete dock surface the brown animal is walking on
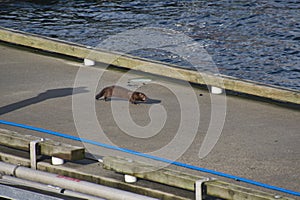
(257, 140)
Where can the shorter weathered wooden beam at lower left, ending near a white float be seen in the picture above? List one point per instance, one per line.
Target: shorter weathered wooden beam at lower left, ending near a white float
(48, 147)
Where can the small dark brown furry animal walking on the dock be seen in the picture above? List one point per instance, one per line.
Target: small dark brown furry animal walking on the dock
(120, 92)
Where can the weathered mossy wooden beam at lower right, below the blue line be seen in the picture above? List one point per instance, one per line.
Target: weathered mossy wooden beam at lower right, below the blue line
(183, 180)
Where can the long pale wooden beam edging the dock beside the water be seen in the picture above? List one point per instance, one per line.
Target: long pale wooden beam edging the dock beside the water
(153, 67)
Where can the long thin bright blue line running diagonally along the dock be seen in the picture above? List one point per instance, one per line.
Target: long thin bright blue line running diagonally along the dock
(263, 185)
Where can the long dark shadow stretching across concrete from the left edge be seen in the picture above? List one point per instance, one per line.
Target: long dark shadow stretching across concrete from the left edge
(49, 94)
